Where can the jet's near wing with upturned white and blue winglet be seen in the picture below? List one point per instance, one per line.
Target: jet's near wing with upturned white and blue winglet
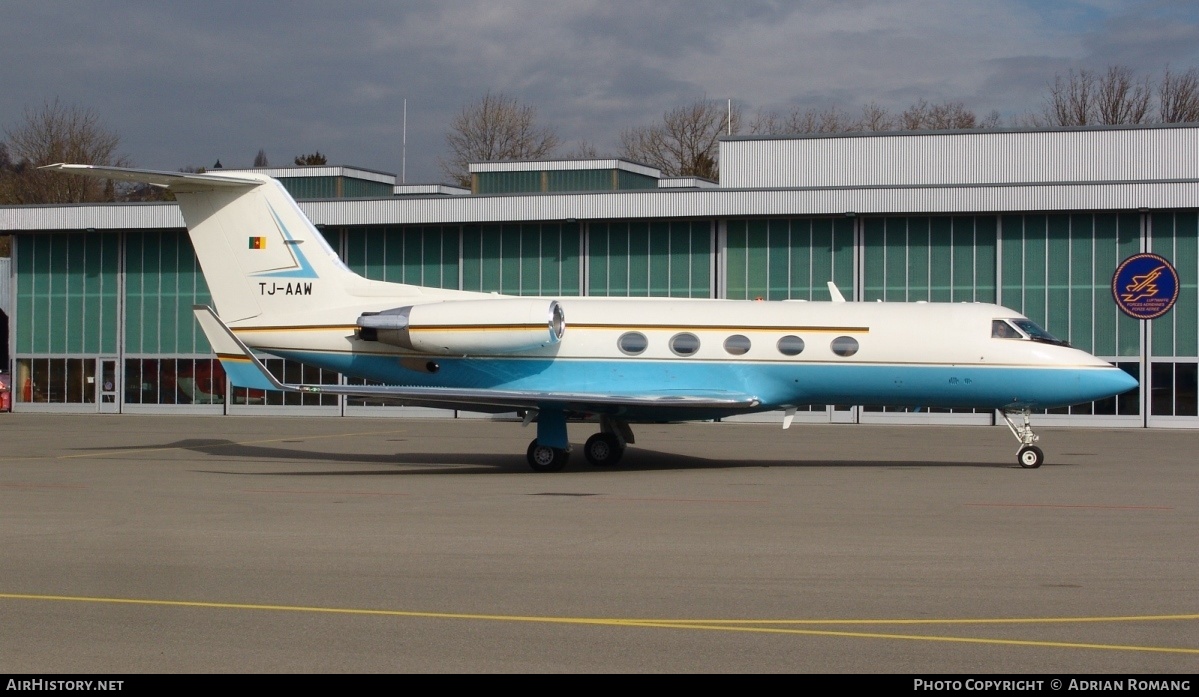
(246, 371)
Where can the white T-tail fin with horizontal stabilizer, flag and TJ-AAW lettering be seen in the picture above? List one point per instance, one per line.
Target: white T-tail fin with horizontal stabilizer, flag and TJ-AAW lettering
(260, 253)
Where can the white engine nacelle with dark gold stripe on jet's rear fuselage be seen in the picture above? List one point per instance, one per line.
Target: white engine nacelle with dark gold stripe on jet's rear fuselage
(468, 327)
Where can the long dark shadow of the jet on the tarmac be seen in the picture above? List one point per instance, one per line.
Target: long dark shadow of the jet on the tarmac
(424, 464)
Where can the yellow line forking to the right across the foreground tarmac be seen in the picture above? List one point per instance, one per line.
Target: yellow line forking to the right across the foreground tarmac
(683, 624)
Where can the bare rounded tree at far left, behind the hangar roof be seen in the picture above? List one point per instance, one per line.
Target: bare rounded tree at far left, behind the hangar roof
(58, 133)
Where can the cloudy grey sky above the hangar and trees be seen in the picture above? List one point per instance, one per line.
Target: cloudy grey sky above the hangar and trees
(186, 85)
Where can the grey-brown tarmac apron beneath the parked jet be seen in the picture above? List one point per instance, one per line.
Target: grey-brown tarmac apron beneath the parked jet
(364, 545)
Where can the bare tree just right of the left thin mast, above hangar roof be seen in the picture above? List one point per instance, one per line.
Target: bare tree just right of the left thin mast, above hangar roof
(496, 128)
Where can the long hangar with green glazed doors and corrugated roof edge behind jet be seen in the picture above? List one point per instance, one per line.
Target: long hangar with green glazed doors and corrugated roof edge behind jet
(101, 295)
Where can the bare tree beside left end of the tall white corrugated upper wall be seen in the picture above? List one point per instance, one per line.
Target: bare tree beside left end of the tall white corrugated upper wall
(686, 142)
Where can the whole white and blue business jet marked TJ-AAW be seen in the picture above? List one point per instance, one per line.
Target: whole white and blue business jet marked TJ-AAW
(279, 289)
